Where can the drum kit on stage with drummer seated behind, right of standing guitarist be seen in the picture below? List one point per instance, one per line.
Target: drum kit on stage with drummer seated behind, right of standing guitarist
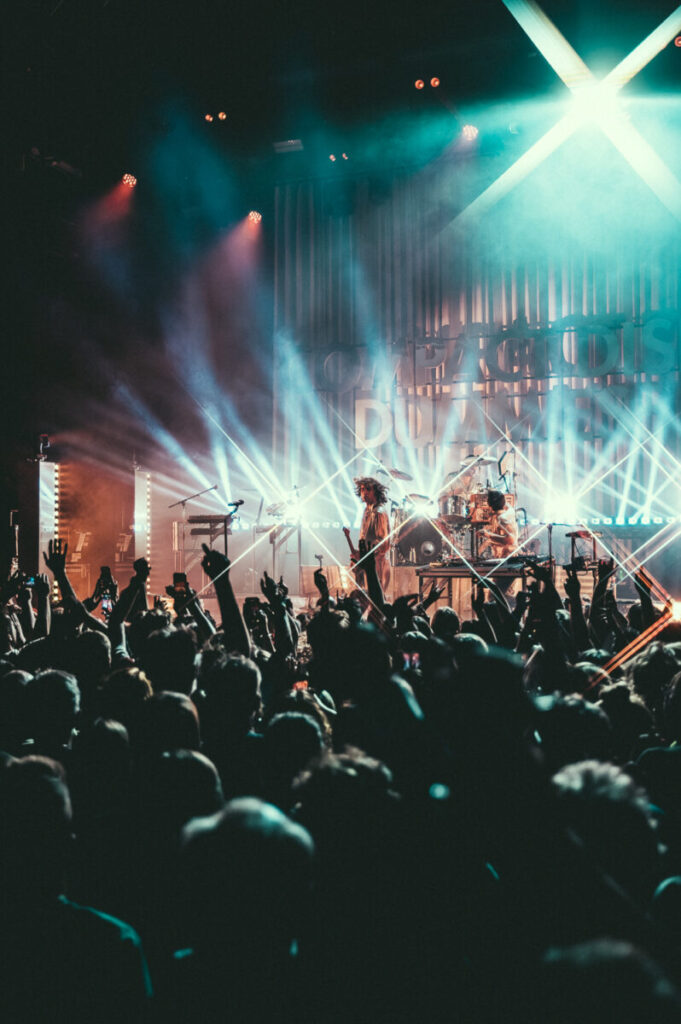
(419, 538)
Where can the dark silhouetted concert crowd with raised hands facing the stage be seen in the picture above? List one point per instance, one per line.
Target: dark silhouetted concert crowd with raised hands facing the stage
(365, 813)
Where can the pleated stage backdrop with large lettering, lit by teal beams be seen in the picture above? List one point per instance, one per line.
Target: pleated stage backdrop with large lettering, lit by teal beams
(409, 334)
